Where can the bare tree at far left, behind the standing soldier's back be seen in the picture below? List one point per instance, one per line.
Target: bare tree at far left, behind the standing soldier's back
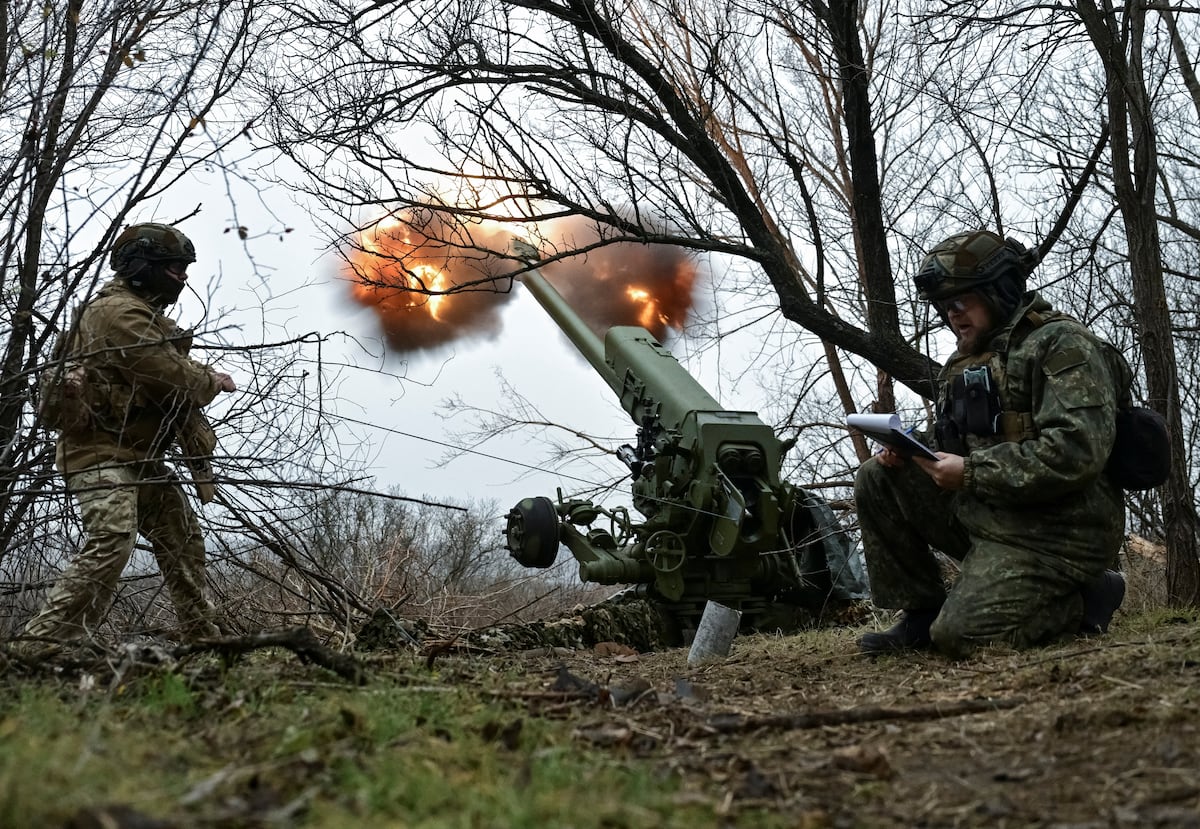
(104, 105)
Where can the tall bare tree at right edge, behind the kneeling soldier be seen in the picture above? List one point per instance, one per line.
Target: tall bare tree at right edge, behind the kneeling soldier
(1127, 255)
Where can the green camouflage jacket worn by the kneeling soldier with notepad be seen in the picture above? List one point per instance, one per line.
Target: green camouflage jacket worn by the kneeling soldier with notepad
(1059, 389)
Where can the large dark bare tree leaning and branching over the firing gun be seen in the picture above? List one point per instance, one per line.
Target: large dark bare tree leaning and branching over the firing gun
(655, 122)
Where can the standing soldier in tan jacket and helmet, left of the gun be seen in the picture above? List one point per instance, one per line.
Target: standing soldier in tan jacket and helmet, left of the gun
(139, 393)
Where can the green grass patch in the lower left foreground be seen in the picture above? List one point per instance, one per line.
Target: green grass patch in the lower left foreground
(271, 744)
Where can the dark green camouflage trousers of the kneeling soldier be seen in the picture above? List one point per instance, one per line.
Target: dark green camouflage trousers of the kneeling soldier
(1021, 570)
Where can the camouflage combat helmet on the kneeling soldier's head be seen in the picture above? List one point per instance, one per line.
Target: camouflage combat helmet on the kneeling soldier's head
(976, 262)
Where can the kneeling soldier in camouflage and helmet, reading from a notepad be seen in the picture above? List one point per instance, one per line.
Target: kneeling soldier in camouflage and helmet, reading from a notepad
(1027, 413)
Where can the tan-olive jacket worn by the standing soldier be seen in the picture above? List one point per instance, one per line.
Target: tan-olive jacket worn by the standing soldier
(142, 386)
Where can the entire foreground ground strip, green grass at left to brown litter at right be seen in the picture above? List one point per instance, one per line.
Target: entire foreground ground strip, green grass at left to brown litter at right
(269, 742)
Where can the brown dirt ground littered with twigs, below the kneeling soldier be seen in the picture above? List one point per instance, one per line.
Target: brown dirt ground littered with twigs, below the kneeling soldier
(1099, 732)
